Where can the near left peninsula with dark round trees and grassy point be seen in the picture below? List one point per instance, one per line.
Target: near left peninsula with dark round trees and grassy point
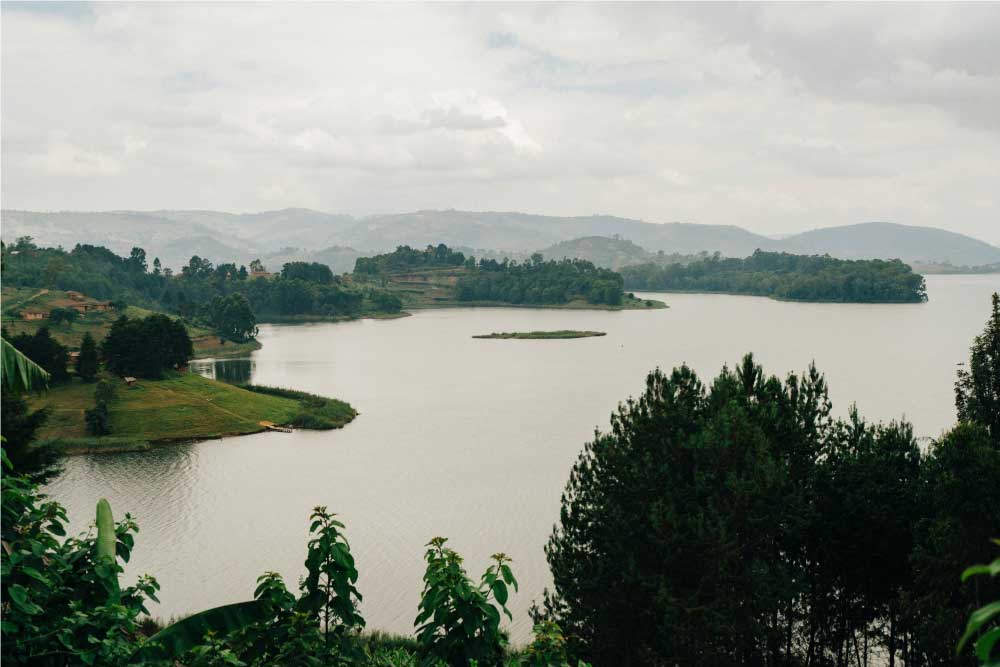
(132, 390)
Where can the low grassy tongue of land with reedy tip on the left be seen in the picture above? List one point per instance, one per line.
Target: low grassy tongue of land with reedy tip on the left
(181, 406)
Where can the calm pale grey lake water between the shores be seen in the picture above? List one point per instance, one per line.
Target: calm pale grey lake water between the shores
(474, 439)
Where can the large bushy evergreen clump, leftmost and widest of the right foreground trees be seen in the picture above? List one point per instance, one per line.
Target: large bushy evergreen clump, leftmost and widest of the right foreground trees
(684, 529)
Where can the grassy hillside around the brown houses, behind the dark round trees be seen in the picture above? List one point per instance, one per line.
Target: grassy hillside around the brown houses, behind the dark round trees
(96, 324)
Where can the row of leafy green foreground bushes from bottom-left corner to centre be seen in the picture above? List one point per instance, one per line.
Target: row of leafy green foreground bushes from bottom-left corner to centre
(63, 604)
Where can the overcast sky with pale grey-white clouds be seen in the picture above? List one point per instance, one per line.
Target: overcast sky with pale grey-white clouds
(778, 118)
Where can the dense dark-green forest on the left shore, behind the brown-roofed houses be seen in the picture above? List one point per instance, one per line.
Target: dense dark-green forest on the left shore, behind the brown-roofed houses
(299, 290)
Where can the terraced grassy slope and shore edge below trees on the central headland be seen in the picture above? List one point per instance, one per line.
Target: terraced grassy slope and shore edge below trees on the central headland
(435, 288)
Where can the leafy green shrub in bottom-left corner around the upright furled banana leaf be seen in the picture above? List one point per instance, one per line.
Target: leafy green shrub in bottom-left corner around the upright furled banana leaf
(62, 604)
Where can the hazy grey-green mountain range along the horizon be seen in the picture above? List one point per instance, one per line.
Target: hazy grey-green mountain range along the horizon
(279, 236)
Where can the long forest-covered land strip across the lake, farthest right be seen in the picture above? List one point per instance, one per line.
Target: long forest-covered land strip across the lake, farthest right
(785, 276)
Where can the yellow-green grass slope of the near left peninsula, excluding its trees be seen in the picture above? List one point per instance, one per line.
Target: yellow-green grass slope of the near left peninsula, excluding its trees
(180, 407)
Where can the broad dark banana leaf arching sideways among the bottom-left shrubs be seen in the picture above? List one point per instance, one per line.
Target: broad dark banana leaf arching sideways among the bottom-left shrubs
(178, 638)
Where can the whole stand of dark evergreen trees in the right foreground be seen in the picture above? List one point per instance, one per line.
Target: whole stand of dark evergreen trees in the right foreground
(739, 524)
